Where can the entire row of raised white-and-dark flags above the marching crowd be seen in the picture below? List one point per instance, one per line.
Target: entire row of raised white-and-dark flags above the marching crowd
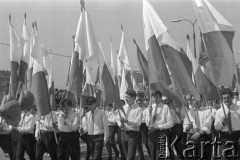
(165, 67)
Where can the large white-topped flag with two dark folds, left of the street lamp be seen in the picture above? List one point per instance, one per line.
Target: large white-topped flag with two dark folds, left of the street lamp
(161, 49)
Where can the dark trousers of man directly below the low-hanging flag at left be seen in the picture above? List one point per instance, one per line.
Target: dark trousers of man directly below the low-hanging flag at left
(46, 143)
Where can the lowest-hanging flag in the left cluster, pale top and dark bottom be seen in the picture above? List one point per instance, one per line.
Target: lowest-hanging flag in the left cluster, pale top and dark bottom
(39, 84)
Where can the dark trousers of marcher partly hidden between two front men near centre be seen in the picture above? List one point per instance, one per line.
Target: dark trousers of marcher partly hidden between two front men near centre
(111, 142)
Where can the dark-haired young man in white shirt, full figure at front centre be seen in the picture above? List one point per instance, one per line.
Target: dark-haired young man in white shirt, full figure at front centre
(130, 122)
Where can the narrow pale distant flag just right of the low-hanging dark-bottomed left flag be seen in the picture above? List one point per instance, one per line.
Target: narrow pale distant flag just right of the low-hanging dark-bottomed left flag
(49, 68)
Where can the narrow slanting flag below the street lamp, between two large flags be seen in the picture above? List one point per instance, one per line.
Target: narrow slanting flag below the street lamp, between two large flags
(205, 87)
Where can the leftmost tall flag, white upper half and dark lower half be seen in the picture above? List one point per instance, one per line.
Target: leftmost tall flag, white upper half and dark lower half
(15, 53)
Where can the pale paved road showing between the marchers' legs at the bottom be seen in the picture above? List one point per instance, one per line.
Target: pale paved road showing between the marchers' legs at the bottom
(83, 153)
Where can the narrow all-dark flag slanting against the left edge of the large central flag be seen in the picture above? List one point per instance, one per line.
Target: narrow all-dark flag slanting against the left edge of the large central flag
(142, 64)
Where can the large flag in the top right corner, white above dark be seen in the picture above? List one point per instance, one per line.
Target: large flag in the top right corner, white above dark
(217, 35)
